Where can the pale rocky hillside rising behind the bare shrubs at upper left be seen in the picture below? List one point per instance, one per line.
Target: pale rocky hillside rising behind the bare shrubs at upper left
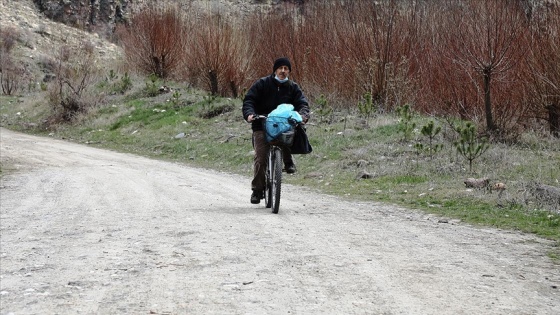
(41, 27)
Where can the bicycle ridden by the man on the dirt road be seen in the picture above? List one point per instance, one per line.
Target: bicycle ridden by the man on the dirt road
(274, 165)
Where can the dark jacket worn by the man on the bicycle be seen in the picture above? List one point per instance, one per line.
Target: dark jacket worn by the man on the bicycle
(267, 93)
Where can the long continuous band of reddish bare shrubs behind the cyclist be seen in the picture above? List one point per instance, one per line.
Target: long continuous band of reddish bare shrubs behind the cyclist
(494, 62)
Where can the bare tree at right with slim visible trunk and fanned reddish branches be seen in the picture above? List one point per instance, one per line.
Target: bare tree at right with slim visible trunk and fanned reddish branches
(488, 39)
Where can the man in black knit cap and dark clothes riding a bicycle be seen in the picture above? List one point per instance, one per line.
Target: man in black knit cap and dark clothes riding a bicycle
(261, 99)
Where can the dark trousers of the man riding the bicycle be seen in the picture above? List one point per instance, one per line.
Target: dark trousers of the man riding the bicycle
(260, 159)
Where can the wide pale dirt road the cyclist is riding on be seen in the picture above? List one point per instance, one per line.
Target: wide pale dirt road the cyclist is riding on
(90, 231)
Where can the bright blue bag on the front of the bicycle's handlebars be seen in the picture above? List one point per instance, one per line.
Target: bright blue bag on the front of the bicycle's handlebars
(281, 120)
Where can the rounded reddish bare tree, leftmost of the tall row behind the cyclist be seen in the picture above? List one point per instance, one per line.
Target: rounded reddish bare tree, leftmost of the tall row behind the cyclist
(153, 40)
